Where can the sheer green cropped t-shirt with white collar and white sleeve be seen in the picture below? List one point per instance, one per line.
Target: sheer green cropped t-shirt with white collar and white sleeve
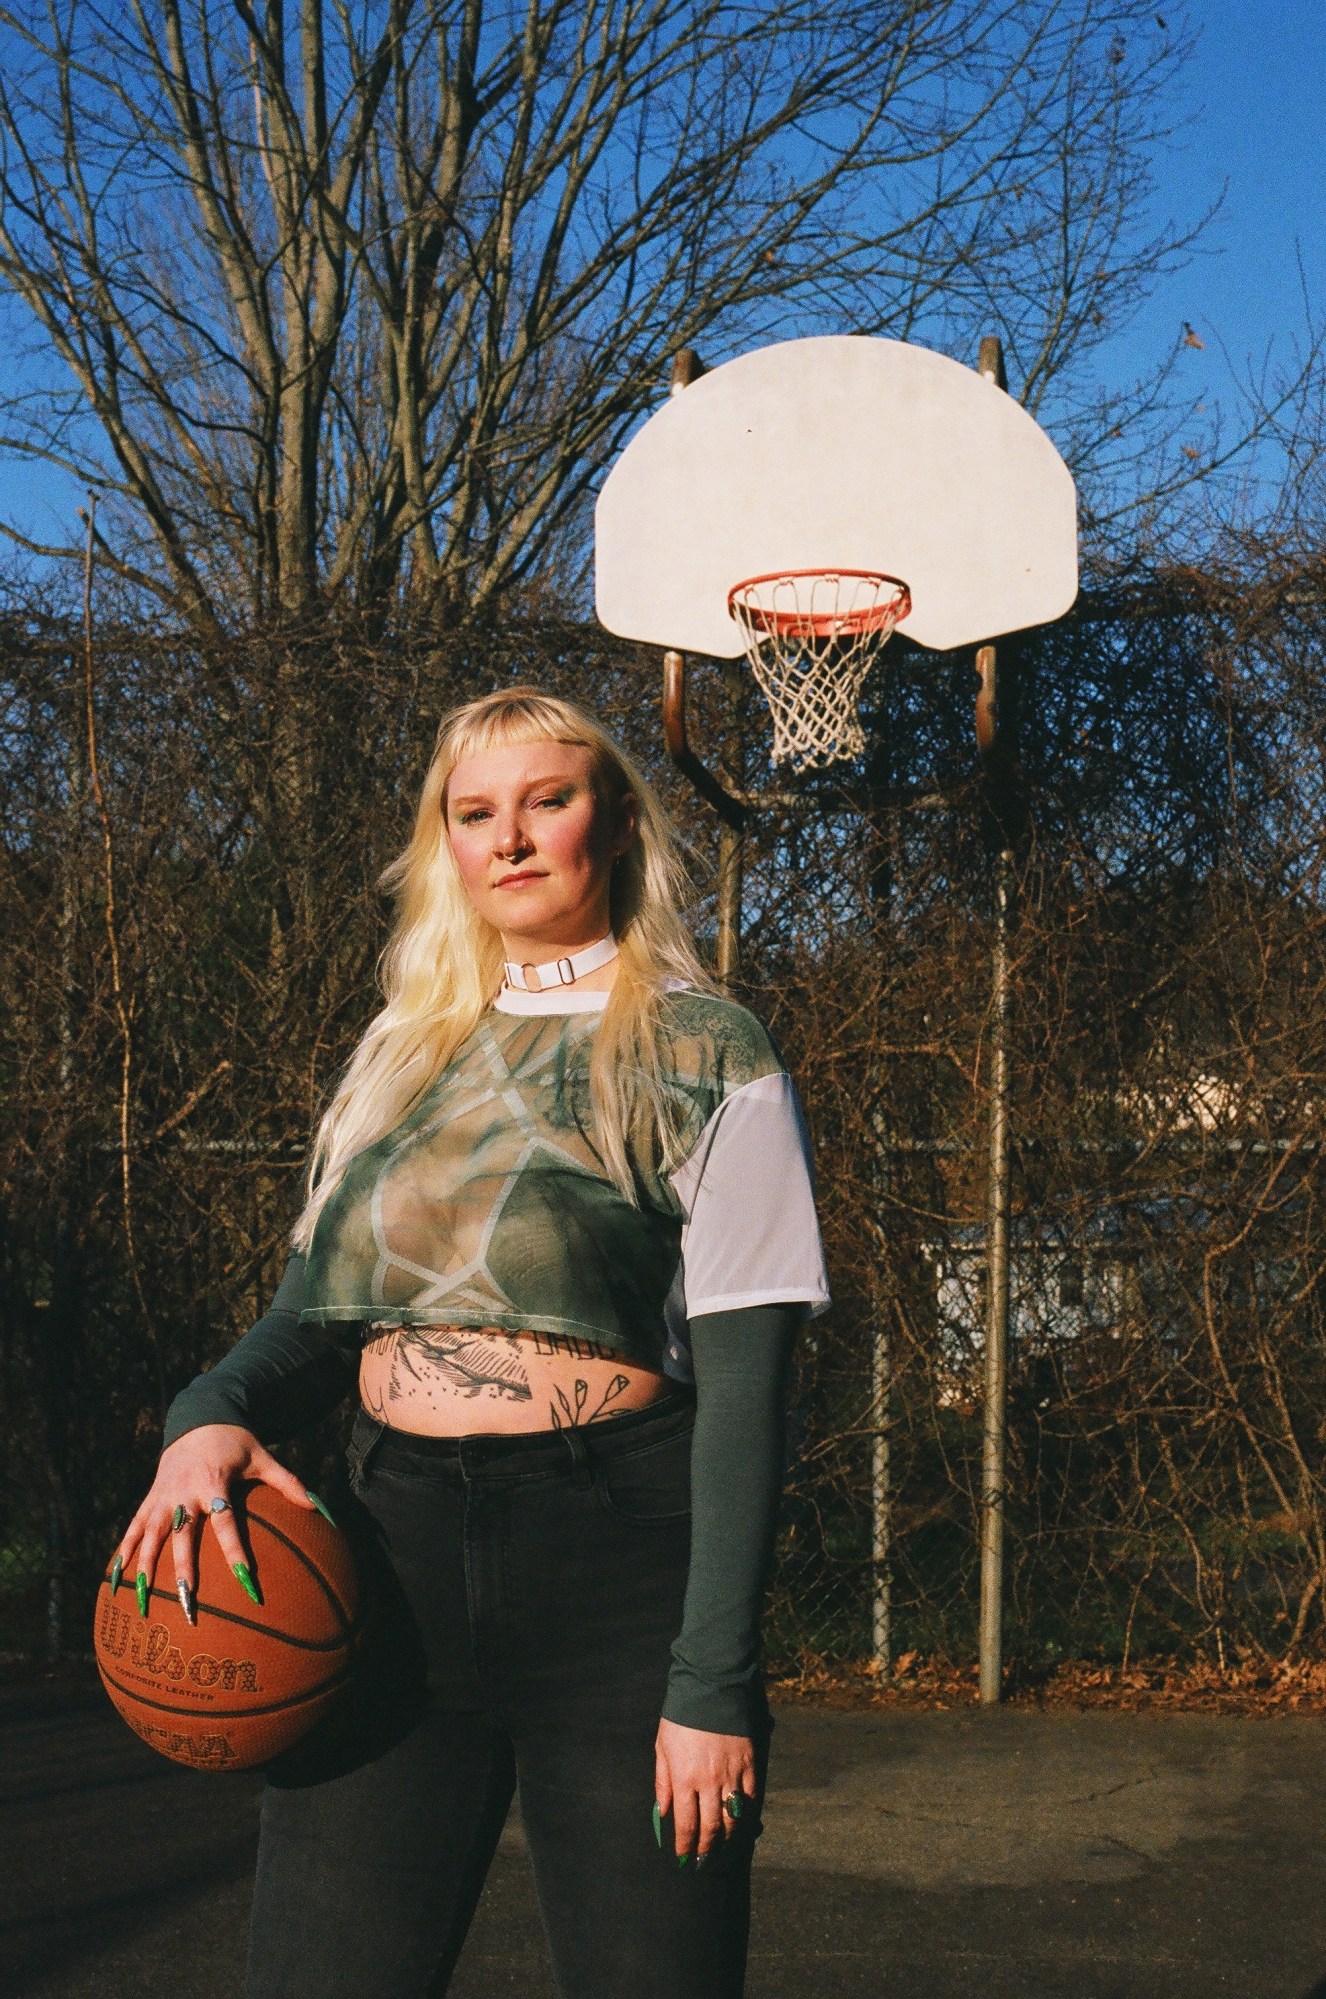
(491, 1204)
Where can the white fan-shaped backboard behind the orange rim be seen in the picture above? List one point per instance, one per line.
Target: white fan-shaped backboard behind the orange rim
(837, 453)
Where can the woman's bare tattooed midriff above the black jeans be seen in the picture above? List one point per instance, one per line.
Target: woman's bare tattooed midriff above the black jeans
(467, 1380)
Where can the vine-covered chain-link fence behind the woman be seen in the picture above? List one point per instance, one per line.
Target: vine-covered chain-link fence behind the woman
(167, 1052)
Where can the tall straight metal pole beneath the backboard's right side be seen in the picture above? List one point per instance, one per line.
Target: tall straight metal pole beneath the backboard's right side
(997, 1304)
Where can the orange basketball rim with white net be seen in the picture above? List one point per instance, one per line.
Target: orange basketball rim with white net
(811, 639)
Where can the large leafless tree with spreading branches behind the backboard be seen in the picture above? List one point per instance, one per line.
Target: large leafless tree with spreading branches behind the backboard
(347, 303)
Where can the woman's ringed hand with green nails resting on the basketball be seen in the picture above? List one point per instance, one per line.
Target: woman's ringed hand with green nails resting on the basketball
(197, 1470)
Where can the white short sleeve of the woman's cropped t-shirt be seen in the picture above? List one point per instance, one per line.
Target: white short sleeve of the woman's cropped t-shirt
(751, 1232)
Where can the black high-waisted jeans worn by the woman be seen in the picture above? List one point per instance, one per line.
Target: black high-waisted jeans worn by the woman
(527, 1594)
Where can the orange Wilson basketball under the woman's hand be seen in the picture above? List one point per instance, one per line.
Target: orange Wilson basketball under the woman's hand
(247, 1680)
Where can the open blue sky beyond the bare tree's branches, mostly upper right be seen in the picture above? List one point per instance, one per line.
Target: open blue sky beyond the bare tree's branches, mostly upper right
(1255, 95)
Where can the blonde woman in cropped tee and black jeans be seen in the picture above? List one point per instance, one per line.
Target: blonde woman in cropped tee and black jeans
(561, 1230)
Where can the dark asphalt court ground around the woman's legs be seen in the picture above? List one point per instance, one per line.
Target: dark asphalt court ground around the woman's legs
(909, 1856)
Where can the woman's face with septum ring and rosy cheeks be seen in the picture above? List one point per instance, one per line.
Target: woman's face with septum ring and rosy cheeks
(535, 843)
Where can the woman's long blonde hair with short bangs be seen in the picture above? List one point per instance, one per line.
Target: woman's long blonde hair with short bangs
(443, 963)
